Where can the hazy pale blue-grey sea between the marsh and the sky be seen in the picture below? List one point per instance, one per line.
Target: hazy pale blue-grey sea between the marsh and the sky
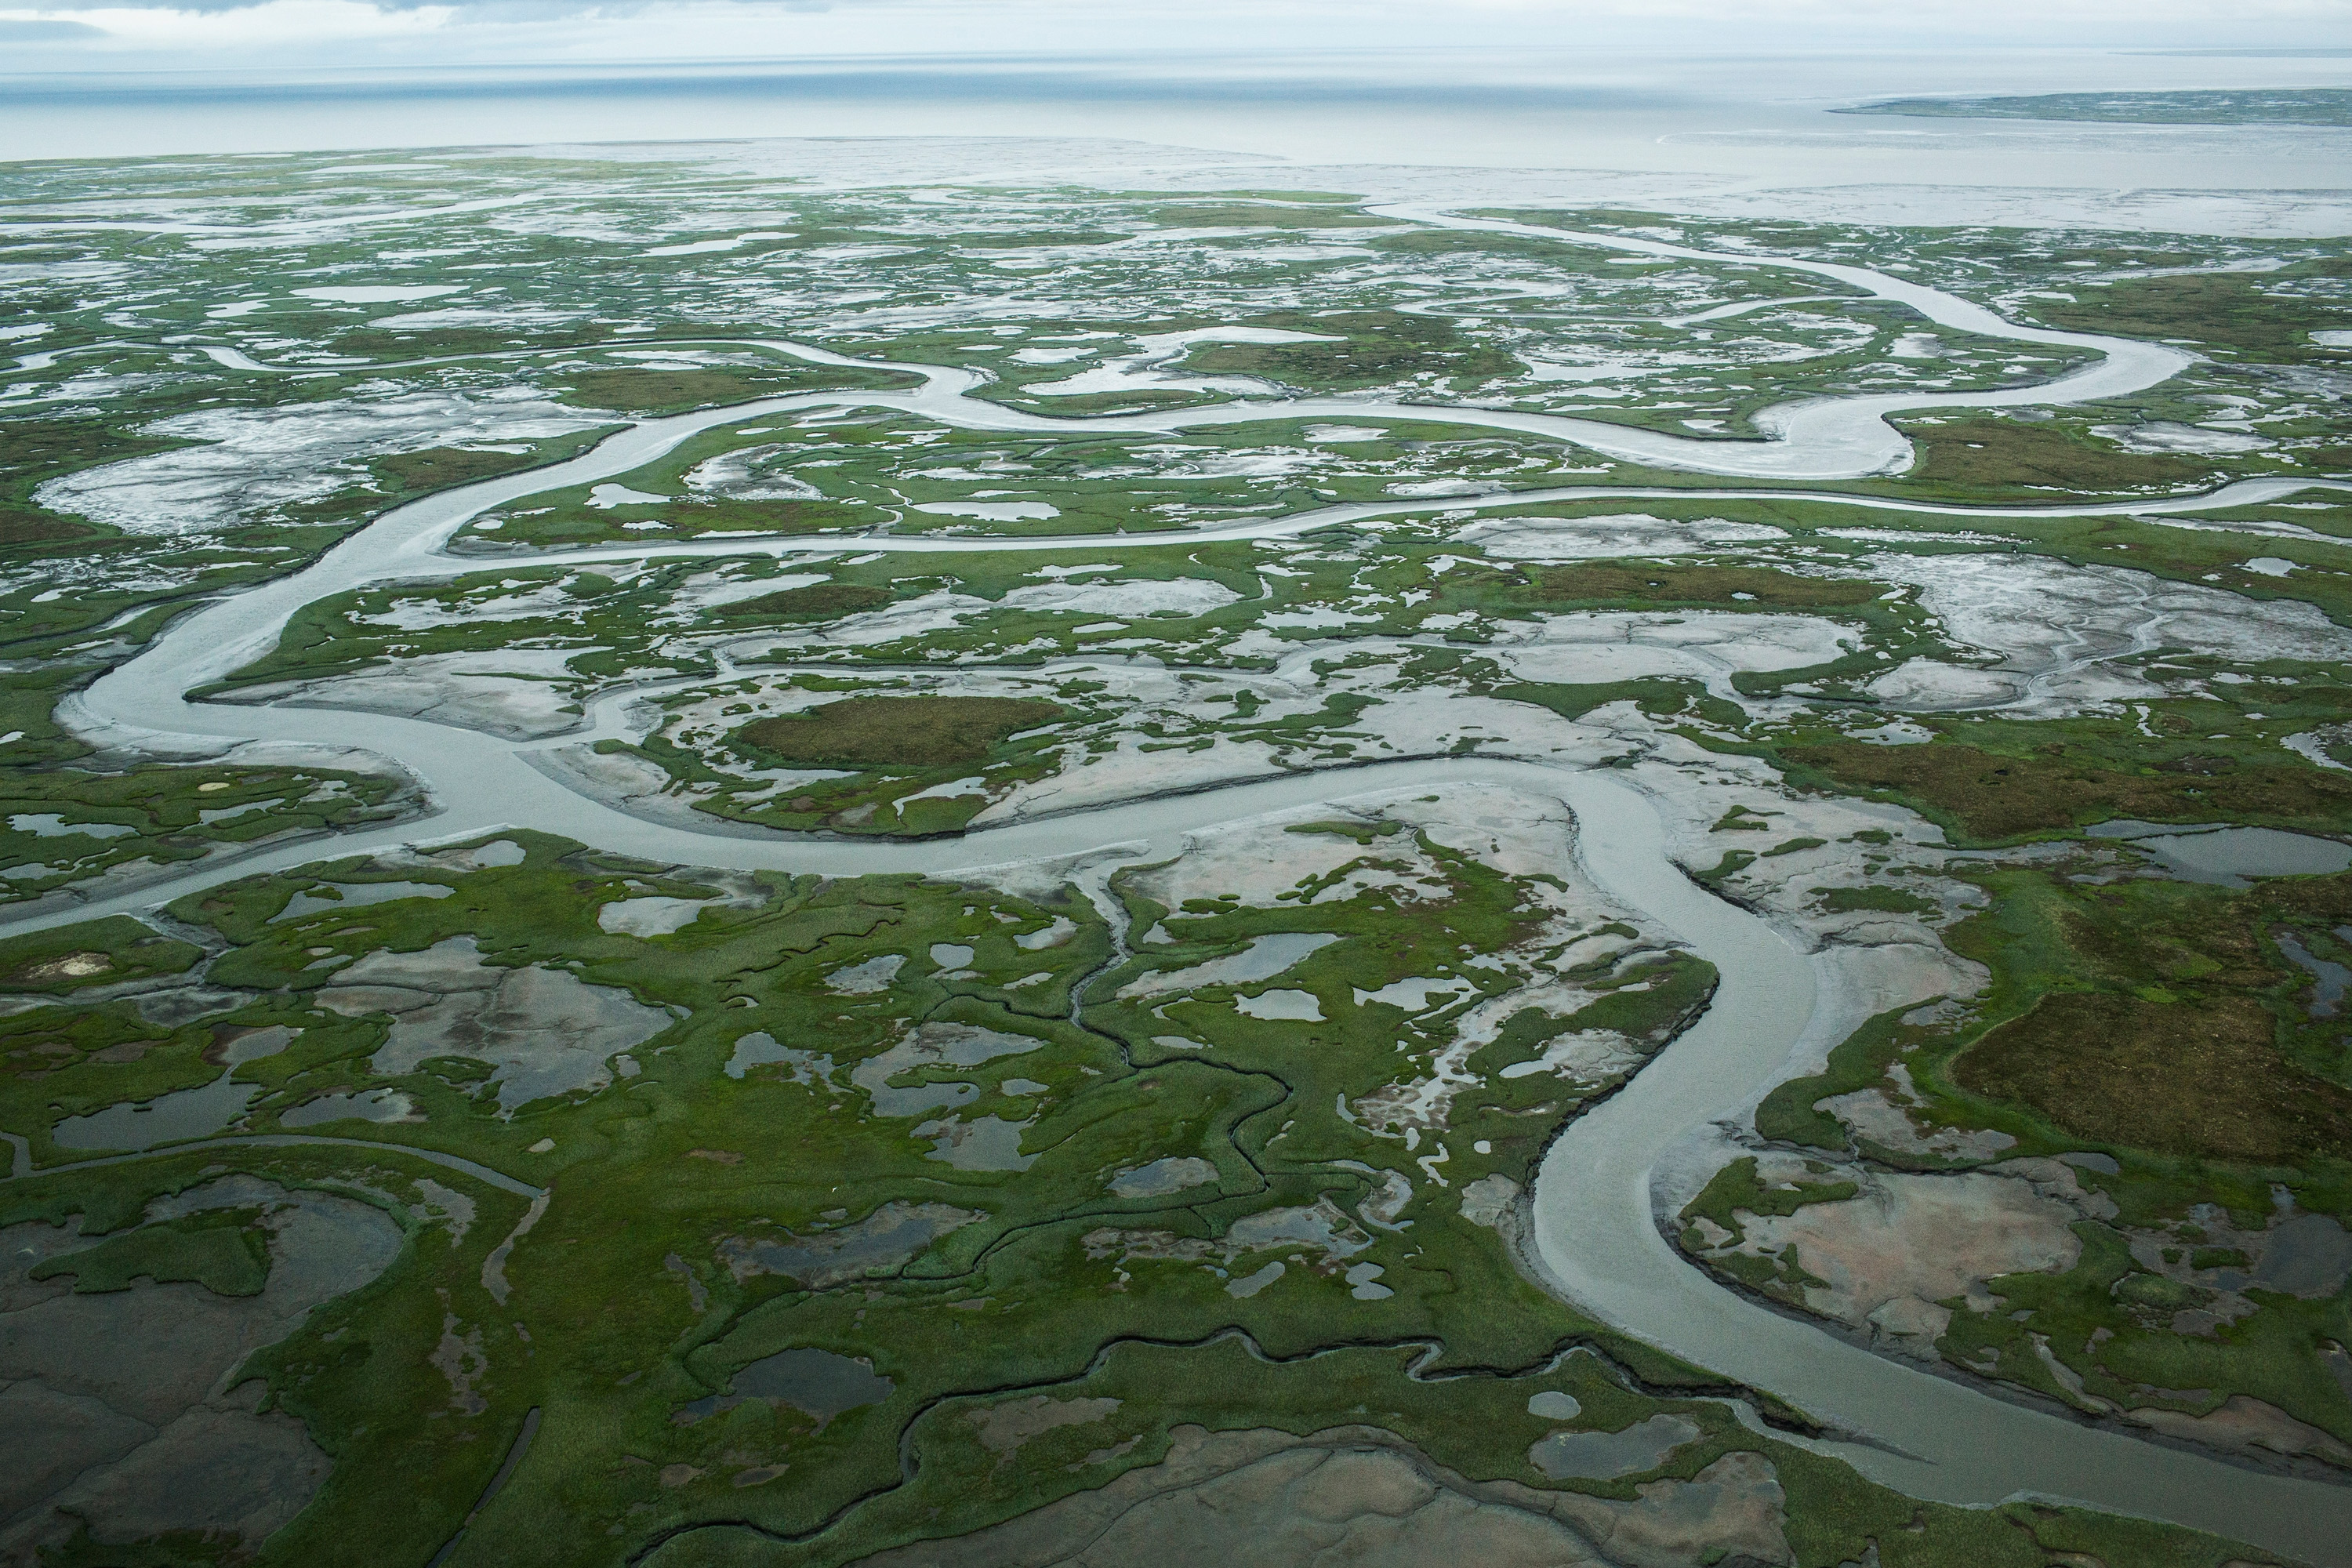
(1692, 126)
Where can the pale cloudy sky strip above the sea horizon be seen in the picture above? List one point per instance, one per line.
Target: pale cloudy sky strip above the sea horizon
(86, 36)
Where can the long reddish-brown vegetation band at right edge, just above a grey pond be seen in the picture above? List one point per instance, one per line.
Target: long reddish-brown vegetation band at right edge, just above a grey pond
(1996, 798)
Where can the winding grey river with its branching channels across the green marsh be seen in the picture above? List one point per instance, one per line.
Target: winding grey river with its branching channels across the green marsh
(1598, 1240)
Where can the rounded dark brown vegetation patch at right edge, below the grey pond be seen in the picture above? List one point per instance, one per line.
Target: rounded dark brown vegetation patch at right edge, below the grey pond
(2186, 1078)
